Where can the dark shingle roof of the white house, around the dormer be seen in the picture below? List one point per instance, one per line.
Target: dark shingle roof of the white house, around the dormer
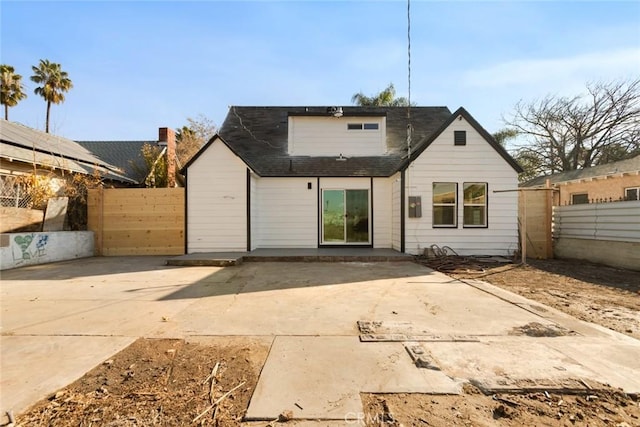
(258, 135)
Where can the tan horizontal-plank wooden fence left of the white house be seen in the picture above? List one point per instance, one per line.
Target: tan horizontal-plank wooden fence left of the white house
(137, 221)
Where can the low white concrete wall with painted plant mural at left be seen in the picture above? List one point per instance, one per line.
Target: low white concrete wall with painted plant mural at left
(22, 249)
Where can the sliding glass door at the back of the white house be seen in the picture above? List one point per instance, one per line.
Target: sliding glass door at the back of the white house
(345, 216)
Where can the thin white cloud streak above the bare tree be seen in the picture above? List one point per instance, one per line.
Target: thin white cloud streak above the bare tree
(558, 73)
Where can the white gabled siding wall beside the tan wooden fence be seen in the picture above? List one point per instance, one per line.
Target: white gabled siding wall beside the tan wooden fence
(216, 202)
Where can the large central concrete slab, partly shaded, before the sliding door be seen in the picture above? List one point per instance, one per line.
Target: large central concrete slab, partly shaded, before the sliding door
(302, 299)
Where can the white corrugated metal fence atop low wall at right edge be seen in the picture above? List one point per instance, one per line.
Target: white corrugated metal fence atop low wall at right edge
(607, 233)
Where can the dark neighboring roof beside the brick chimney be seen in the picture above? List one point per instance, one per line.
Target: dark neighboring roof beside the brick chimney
(126, 155)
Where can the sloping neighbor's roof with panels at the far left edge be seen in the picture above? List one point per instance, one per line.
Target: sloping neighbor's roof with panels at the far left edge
(24, 144)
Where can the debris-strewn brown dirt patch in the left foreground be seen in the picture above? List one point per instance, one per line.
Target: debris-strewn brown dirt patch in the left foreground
(160, 382)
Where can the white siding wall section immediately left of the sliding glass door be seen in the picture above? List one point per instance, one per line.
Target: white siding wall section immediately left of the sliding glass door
(287, 213)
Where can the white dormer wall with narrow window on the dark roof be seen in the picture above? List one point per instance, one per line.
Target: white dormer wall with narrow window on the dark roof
(328, 136)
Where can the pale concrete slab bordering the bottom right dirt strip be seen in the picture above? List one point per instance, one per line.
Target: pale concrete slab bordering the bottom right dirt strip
(560, 363)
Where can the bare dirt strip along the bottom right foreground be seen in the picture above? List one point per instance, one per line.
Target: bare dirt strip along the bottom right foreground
(475, 409)
